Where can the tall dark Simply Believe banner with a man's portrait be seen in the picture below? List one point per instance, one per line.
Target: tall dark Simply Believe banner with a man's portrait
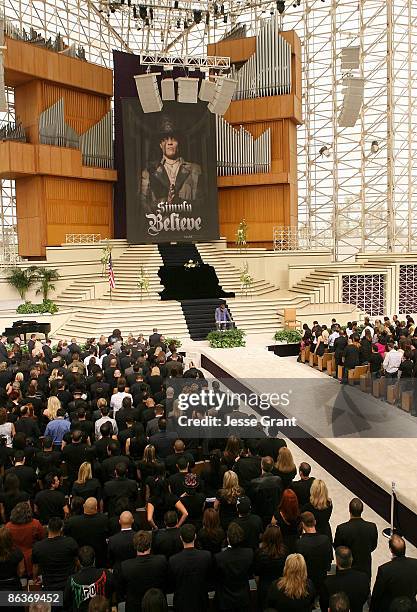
(170, 166)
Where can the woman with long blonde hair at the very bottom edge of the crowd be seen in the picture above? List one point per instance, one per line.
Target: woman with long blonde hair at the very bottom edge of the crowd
(294, 591)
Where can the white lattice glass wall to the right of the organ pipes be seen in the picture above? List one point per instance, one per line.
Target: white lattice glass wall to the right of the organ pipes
(362, 200)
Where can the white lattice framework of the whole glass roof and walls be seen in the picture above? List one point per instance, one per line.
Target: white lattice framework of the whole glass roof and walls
(359, 198)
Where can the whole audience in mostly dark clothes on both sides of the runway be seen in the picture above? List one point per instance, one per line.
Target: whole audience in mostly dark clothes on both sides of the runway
(102, 499)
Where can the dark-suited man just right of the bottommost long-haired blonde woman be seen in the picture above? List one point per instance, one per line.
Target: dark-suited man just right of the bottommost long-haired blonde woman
(346, 580)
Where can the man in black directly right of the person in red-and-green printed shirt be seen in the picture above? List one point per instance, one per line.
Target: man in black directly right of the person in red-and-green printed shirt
(145, 571)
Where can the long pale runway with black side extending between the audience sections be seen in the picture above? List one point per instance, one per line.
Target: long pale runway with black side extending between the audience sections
(362, 441)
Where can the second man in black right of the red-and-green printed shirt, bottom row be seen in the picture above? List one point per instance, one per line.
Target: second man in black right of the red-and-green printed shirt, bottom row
(190, 573)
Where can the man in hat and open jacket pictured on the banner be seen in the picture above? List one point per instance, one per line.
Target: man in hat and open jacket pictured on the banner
(171, 180)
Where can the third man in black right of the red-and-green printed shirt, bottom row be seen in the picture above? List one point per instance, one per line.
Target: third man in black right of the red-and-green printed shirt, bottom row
(233, 568)
